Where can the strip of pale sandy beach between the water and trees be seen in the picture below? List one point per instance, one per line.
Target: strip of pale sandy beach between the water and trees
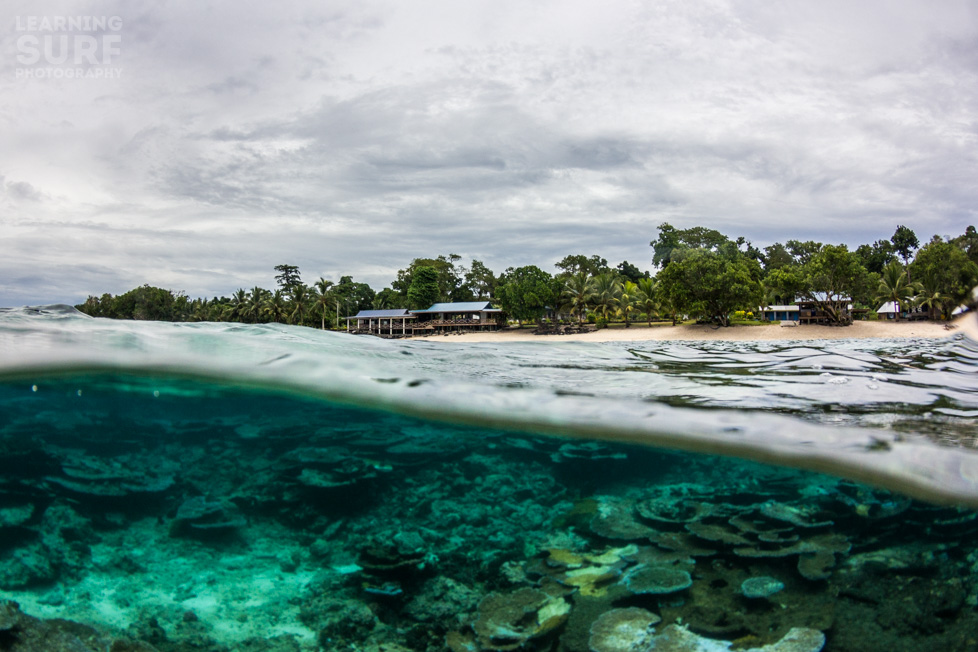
(642, 332)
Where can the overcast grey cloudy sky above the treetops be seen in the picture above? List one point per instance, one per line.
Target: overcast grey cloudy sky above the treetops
(195, 145)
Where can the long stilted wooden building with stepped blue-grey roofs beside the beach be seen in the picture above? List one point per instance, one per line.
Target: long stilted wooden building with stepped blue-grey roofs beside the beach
(439, 318)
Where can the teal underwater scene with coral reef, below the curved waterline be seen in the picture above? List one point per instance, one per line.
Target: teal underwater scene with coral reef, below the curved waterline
(141, 513)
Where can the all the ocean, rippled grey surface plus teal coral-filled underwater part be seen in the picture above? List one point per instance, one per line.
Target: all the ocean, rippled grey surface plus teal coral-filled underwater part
(229, 487)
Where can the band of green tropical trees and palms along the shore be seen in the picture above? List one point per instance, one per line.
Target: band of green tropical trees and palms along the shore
(699, 273)
